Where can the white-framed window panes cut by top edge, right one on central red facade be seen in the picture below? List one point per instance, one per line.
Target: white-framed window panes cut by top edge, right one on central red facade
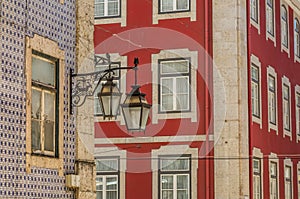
(174, 5)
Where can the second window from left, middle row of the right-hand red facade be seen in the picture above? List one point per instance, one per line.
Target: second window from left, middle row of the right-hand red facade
(272, 99)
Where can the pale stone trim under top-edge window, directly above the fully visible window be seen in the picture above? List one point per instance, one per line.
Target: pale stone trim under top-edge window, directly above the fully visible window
(162, 16)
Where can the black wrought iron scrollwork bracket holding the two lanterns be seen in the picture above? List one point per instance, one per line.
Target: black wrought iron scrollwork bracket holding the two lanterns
(84, 85)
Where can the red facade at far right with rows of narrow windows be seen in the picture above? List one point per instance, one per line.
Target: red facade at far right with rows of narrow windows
(273, 60)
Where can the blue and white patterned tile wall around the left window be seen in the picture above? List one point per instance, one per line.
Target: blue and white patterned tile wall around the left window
(19, 19)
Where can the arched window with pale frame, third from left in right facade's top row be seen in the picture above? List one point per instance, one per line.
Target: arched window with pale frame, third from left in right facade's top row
(284, 28)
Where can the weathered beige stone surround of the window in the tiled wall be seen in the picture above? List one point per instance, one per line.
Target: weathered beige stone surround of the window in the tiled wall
(49, 47)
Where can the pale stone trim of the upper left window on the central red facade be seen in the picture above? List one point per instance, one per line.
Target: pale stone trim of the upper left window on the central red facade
(112, 20)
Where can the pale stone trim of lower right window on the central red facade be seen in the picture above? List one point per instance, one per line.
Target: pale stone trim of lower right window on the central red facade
(172, 150)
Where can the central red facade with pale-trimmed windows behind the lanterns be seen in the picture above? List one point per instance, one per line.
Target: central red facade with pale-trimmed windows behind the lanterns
(171, 158)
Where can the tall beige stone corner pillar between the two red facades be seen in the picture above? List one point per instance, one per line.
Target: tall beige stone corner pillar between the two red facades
(230, 75)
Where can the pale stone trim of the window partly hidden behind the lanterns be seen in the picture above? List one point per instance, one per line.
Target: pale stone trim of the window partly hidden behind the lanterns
(115, 57)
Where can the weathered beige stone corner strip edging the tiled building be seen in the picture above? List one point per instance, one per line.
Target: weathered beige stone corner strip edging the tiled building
(84, 115)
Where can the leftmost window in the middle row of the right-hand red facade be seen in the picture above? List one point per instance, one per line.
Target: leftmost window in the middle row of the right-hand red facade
(255, 91)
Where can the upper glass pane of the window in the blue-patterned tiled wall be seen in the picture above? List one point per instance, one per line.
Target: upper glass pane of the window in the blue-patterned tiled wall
(43, 71)
